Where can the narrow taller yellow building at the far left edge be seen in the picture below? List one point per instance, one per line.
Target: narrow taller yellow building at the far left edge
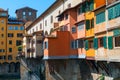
(3, 32)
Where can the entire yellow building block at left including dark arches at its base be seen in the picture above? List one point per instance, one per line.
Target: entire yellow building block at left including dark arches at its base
(11, 39)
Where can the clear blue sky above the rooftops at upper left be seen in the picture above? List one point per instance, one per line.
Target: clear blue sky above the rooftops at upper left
(12, 5)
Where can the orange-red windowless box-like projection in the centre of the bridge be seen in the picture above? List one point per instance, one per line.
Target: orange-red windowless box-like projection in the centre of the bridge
(58, 47)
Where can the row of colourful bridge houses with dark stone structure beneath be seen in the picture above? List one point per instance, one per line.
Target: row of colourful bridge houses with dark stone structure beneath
(79, 40)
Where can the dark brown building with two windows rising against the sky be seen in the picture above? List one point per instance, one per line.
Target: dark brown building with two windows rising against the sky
(26, 14)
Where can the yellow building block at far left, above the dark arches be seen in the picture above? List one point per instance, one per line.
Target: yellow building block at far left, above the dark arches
(11, 31)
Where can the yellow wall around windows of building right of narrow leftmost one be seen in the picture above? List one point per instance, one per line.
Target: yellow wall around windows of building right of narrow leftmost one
(14, 52)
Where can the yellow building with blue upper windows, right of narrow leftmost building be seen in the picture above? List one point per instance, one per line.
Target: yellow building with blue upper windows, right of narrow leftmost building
(15, 30)
